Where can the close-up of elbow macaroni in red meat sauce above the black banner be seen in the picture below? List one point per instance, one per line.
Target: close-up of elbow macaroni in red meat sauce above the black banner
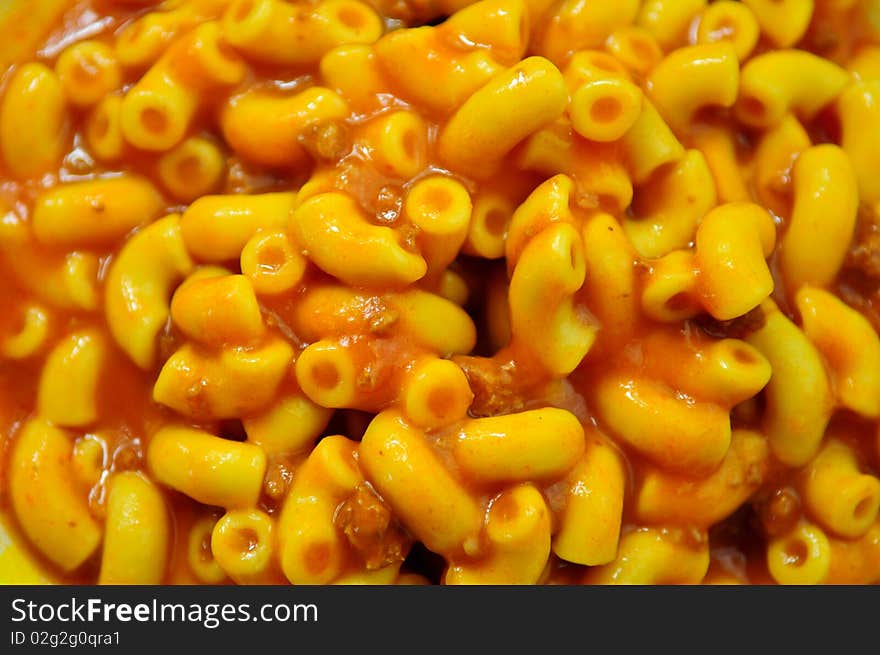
(414, 292)
